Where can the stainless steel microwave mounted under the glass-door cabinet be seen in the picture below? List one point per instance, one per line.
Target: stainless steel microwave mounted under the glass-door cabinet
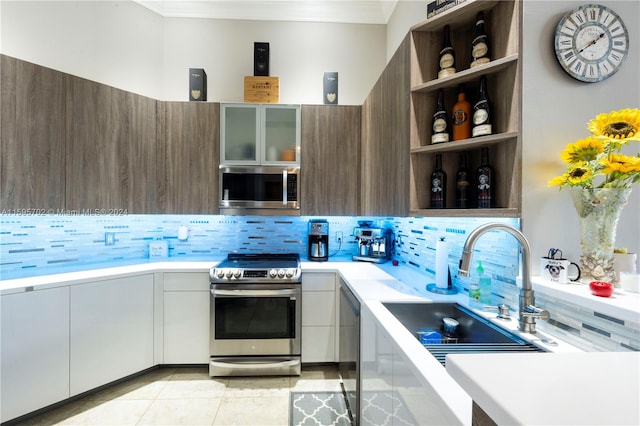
(265, 190)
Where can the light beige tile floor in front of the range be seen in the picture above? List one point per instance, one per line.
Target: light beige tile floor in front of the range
(188, 396)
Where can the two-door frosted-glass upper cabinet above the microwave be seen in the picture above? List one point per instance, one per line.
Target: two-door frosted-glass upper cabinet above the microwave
(254, 134)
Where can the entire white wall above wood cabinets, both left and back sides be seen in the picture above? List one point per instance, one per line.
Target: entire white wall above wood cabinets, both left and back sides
(125, 45)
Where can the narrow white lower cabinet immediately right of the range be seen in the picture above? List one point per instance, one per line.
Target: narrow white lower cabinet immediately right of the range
(319, 317)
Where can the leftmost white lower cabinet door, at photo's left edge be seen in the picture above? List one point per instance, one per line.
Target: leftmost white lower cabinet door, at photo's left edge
(34, 362)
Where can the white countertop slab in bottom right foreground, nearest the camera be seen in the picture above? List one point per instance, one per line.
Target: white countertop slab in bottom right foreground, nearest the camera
(595, 388)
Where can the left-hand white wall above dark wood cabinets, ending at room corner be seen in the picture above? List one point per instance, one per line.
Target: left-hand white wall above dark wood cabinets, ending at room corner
(112, 42)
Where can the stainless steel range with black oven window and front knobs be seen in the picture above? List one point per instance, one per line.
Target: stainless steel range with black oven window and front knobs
(256, 305)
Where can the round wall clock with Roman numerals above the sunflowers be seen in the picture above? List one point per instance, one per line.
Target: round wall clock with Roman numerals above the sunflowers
(591, 43)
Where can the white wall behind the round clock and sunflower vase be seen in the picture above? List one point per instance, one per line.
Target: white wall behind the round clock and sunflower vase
(556, 109)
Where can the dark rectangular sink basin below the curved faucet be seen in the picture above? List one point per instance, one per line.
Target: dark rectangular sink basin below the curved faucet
(474, 334)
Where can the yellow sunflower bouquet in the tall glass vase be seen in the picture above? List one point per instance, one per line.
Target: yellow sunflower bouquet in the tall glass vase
(596, 161)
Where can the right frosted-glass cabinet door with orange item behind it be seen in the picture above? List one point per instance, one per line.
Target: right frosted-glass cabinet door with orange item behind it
(281, 134)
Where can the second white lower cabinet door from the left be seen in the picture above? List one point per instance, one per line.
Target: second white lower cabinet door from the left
(111, 330)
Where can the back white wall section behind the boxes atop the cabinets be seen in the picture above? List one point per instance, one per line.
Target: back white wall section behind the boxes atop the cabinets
(300, 54)
